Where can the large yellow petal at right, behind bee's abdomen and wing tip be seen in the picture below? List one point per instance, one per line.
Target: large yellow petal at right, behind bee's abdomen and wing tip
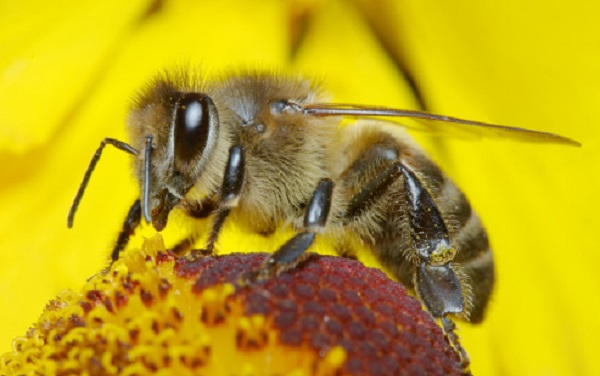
(530, 64)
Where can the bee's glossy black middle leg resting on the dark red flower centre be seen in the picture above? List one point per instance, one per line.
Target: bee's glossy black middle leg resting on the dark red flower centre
(291, 253)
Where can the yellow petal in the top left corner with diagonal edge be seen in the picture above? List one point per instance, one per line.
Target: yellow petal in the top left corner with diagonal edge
(41, 48)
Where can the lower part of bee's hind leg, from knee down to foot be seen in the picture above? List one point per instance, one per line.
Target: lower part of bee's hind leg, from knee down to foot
(436, 282)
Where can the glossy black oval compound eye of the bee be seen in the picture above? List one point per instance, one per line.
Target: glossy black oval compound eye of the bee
(193, 119)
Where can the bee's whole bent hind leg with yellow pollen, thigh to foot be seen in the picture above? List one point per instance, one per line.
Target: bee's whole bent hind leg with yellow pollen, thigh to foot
(436, 282)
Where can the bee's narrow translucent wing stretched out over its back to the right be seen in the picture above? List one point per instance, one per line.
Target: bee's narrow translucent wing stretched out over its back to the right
(438, 123)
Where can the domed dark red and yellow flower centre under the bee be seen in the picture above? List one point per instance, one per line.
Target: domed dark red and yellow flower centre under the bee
(152, 313)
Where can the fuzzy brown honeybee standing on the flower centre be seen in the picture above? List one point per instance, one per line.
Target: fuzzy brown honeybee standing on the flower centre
(265, 147)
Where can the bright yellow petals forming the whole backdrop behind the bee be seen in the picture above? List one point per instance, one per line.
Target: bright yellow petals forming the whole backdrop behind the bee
(68, 73)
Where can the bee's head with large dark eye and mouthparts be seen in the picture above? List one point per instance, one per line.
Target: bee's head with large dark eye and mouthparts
(180, 136)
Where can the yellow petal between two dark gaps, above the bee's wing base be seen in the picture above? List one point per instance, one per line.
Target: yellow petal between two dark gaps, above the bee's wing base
(353, 65)
